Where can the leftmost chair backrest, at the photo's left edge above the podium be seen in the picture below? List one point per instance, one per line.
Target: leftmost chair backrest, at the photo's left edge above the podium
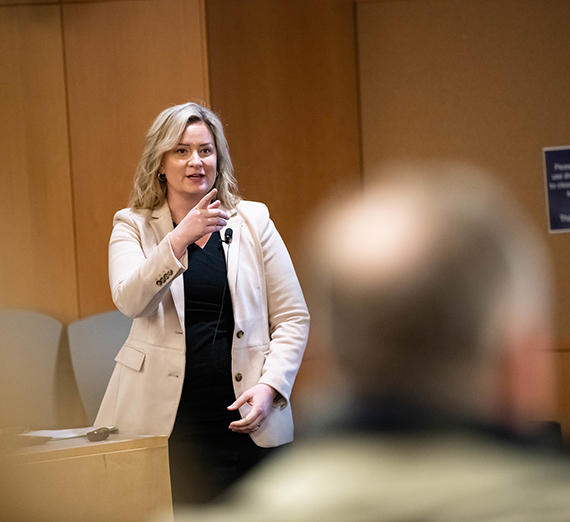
(29, 347)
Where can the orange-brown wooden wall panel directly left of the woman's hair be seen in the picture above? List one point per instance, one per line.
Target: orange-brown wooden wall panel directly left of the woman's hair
(126, 61)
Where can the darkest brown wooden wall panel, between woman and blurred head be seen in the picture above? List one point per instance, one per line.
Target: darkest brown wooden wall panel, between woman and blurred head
(283, 80)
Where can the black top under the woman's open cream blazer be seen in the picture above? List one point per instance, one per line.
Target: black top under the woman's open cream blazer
(209, 321)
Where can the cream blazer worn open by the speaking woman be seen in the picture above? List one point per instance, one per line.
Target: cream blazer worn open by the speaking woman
(270, 314)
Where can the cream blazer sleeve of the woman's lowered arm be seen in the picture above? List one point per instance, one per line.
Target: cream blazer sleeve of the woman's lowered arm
(288, 315)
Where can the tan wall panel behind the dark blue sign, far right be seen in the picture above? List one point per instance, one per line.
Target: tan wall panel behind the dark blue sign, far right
(481, 81)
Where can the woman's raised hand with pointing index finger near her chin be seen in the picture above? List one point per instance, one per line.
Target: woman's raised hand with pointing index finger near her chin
(203, 219)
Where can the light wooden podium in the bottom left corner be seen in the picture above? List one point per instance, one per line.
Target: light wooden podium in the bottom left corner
(120, 479)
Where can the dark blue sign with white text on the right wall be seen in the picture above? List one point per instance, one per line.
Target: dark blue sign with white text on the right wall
(557, 171)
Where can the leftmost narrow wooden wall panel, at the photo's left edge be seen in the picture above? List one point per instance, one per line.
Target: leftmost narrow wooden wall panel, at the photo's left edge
(37, 264)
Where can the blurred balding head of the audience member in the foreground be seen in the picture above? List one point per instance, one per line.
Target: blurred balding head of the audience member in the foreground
(429, 275)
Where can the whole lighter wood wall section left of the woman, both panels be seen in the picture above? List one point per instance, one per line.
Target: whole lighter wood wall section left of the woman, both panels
(81, 83)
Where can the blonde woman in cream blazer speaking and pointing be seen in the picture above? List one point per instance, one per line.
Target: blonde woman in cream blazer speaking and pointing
(220, 322)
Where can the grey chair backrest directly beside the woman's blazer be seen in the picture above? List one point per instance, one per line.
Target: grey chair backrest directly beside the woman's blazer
(94, 343)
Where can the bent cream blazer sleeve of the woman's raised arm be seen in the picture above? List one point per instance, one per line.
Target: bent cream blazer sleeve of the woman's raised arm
(140, 275)
